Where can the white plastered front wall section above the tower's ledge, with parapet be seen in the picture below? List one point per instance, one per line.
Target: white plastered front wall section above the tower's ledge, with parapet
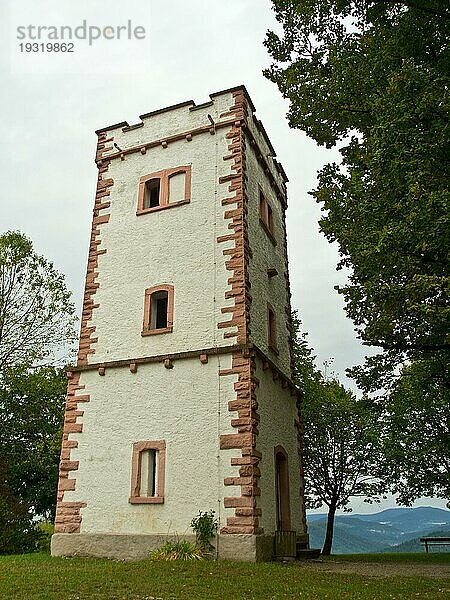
(175, 246)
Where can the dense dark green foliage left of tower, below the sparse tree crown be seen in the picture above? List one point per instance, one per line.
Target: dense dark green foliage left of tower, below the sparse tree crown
(31, 416)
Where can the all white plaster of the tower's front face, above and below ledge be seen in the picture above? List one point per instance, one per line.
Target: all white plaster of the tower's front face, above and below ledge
(186, 406)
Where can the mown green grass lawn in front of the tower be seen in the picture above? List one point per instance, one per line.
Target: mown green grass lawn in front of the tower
(41, 577)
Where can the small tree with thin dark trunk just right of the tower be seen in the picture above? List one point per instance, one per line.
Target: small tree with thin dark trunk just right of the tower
(342, 449)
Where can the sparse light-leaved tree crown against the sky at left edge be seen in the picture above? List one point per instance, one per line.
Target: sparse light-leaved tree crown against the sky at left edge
(36, 313)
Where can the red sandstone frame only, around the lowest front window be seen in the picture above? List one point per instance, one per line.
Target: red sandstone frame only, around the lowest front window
(159, 446)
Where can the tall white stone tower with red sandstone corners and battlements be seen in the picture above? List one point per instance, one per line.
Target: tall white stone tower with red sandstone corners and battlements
(182, 397)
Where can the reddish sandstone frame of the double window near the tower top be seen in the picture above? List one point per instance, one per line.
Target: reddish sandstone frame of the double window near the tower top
(164, 176)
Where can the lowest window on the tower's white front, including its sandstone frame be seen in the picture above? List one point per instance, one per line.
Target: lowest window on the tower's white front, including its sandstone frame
(148, 472)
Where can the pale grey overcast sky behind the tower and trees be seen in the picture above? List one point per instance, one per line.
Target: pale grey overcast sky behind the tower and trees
(52, 103)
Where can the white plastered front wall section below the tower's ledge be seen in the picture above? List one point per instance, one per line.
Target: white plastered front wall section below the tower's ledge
(187, 408)
